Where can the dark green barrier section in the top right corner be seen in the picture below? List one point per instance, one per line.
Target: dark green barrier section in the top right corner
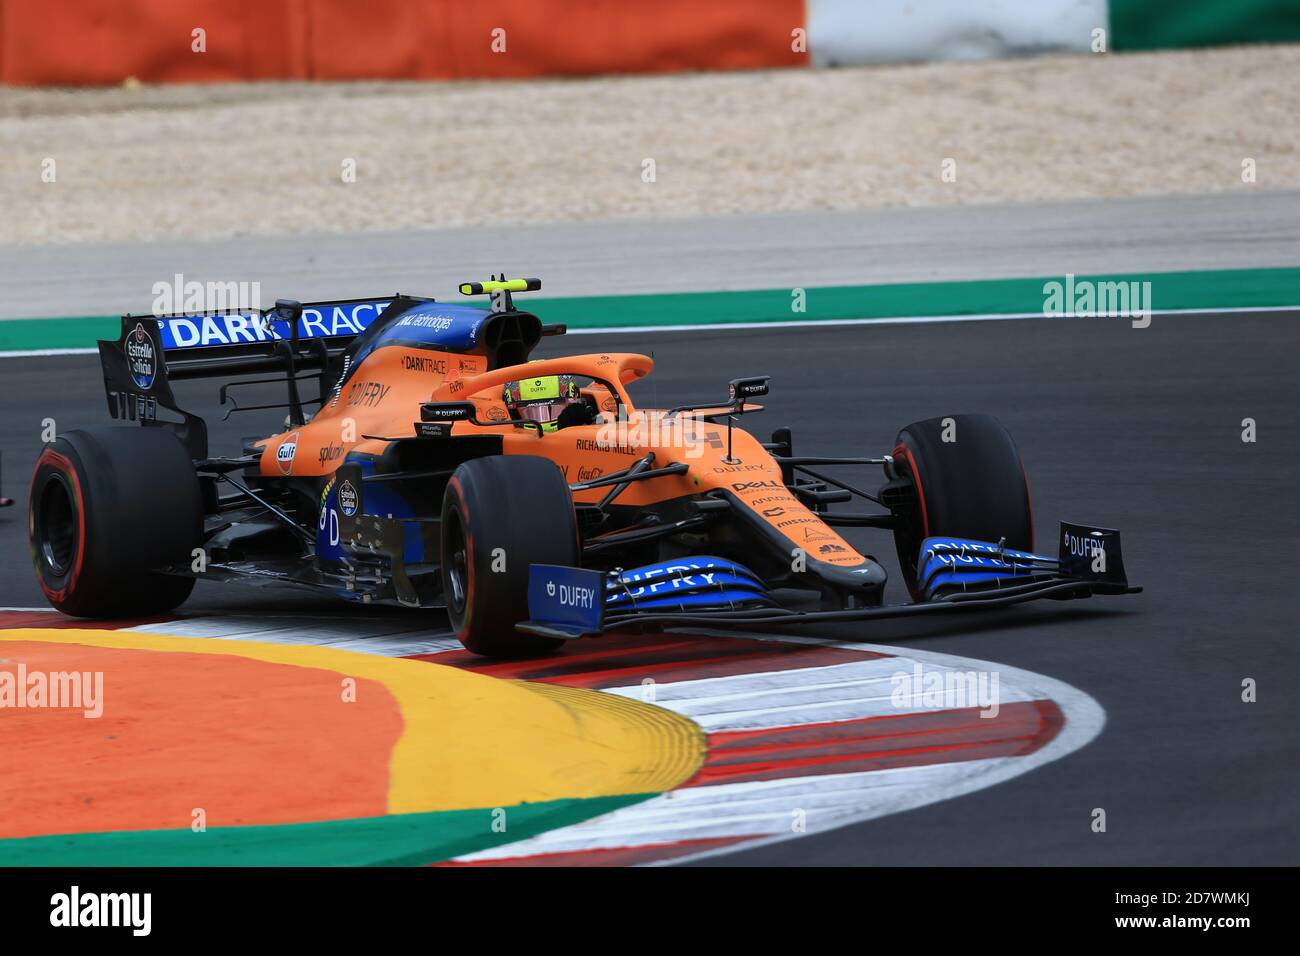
(1175, 24)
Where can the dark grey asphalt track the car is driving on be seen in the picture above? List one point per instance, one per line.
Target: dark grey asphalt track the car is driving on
(1138, 430)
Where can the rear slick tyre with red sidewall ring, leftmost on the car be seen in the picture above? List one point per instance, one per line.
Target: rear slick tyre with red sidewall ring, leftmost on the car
(107, 508)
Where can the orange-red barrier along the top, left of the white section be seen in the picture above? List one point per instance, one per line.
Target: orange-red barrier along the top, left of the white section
(103, 42)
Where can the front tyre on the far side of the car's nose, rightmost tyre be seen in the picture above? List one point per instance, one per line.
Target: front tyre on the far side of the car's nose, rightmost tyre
(972, 486)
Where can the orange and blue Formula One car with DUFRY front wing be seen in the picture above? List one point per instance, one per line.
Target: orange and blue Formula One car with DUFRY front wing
(532, 500)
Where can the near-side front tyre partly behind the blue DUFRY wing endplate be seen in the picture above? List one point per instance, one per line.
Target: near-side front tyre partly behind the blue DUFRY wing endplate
(500, 516)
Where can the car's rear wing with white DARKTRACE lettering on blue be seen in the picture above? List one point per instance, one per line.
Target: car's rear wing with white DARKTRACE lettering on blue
(153, 352)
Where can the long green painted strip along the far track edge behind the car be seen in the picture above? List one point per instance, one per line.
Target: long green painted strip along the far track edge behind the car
(1171, 291)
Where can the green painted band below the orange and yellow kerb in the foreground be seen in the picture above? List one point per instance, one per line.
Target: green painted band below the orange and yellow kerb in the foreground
(409, 840)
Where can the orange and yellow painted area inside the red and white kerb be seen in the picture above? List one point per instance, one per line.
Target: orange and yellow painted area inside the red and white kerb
(255, 734)
